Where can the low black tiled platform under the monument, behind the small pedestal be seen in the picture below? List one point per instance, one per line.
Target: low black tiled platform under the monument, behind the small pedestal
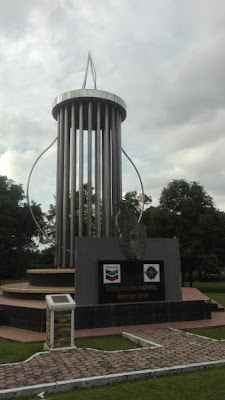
(31, 314)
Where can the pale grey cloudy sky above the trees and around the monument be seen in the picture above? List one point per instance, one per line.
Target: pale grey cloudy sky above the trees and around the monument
(164, 58)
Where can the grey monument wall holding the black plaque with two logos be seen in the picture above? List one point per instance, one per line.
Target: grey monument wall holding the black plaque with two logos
(94, 253)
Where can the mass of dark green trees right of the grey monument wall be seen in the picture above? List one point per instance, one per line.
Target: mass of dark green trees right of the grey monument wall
(187, 212)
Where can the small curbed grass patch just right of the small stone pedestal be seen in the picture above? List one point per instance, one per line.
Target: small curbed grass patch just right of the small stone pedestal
(108, 343)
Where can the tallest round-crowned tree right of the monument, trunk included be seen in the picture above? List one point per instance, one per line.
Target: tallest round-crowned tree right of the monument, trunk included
(195, 224)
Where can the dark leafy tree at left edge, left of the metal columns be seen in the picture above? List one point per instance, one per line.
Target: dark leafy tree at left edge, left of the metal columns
(17, 229)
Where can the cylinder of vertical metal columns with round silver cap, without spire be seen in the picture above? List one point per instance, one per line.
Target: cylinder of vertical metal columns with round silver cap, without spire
(89, 167)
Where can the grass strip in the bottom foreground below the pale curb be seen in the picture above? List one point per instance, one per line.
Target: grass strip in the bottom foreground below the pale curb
(202, 385)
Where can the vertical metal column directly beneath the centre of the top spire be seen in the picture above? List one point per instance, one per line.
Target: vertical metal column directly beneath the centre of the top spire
(89, 183)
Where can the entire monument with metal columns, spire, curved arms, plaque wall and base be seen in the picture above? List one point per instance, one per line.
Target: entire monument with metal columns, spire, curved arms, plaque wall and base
(121, 277)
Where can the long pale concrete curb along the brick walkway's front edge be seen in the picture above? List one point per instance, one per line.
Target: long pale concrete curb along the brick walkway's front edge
(106, 379)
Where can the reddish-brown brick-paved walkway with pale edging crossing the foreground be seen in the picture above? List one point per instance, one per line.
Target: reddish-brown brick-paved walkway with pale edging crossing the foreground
(169, 351)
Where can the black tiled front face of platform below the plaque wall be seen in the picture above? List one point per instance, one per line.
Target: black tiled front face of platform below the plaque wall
(112, 315)
